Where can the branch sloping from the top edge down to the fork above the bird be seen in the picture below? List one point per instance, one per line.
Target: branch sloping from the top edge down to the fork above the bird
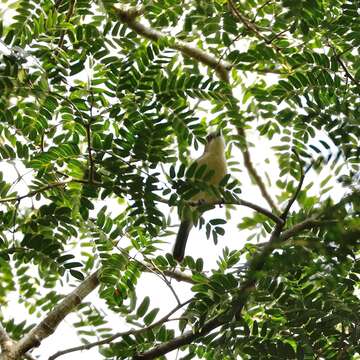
(128, 16)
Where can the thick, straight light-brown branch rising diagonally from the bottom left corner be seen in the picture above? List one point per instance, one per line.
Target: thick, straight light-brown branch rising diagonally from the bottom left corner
(49, 324)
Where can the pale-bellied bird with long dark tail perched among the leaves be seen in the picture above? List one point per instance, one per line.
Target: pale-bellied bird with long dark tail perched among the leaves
(214, 159)
